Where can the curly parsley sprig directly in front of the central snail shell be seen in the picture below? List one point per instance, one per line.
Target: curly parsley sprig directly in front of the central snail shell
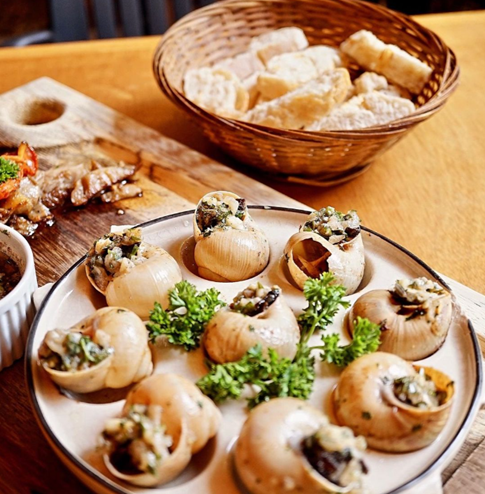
(274, 377)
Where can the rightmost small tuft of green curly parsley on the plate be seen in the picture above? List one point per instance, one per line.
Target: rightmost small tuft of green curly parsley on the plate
(366, 339)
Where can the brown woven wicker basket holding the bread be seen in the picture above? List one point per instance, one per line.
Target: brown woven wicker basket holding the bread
(225, 28)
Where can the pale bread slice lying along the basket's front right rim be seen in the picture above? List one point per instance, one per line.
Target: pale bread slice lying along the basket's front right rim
(364, 110)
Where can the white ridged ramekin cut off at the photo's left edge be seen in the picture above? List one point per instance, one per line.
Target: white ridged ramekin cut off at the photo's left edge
(16, 309)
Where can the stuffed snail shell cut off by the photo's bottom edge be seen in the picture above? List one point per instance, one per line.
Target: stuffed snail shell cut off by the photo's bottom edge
(287, 445)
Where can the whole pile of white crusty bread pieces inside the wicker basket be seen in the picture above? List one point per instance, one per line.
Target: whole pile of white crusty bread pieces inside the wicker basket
(281, 82)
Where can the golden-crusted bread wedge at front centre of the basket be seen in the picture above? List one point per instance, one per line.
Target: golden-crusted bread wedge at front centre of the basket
(305, 104)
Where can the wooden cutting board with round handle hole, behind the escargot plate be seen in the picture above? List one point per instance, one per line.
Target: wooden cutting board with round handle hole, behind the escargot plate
(58, 121)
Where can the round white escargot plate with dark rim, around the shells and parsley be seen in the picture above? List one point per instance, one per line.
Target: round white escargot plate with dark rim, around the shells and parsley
(72, 425)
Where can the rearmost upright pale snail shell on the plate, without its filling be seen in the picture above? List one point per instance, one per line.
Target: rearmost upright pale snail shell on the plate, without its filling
(230, 254)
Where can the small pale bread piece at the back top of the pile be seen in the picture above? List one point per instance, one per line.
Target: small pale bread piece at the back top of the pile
(273, 43)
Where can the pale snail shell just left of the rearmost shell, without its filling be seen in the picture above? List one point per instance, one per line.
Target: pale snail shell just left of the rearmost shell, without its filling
(144, 284)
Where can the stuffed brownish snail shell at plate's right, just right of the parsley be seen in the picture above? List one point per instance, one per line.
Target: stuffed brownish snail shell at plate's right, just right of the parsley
(414, 316)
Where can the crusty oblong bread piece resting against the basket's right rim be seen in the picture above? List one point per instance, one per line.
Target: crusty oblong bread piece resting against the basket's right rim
(397, 65)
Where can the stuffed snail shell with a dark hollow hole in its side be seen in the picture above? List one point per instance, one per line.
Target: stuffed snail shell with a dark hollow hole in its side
(328, 241)
